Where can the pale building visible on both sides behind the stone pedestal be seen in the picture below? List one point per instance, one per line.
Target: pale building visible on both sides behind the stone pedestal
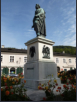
(14, 59)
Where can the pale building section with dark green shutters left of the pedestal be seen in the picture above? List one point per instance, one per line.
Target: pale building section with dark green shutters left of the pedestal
(13, 60)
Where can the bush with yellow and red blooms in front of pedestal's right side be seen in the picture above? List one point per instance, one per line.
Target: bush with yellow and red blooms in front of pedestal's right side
(48, 88)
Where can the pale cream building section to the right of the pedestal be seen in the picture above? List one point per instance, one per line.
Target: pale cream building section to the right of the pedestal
(65, 61)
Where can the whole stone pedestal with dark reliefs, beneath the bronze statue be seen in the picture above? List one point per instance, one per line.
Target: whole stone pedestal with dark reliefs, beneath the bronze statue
(39, 65)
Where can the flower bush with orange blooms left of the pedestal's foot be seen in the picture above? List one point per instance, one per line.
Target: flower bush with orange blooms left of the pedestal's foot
(10, 92)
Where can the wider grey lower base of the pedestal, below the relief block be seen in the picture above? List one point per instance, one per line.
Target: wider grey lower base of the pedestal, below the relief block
(38, 72)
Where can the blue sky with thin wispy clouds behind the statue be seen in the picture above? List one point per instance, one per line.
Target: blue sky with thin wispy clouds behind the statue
(17, 20)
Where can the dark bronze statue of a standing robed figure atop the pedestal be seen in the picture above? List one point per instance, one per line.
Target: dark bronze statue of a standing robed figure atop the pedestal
(39, 21)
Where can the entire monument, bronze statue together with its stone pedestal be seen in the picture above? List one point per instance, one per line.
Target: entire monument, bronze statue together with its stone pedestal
(40, 61)
